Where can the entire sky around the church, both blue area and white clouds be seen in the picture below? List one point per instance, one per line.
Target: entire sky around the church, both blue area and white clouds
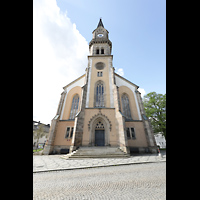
(62, 30)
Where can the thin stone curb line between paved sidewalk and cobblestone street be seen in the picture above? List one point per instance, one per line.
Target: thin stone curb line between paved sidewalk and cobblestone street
(111, 165)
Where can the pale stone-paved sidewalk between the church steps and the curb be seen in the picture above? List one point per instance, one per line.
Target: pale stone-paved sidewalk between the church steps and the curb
(47, 163)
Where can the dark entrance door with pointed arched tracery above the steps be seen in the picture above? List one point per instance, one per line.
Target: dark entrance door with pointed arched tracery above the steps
(99, 134)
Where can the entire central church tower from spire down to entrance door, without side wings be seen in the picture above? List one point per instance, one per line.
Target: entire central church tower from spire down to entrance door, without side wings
(99, 110)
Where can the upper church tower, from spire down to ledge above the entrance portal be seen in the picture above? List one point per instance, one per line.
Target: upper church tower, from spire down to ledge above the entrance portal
(100, 70)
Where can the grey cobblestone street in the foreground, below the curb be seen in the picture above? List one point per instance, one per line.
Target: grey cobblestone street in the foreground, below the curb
(144, 181)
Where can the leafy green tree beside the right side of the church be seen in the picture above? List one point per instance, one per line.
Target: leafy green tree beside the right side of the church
(155, 108)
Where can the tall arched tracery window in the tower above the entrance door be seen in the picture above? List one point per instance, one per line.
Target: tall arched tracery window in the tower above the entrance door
(99, 95)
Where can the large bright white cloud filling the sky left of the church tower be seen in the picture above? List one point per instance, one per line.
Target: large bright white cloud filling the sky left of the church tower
(59, 56)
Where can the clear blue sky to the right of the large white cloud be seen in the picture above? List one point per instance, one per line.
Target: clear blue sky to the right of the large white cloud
(137, 29)
